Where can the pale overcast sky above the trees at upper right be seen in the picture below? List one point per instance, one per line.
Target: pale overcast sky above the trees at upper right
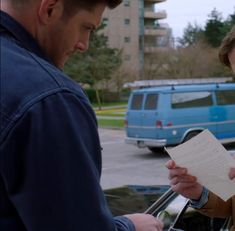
(181, 12)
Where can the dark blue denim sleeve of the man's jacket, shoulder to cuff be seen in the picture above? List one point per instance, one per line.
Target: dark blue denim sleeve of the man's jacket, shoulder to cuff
(51, 168)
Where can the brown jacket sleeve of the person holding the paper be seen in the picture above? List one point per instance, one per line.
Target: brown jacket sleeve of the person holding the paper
(216, 207)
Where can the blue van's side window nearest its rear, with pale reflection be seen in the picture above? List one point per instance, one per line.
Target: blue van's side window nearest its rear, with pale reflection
(191, 99)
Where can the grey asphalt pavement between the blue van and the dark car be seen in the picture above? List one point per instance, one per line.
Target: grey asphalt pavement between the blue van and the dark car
(125, 164)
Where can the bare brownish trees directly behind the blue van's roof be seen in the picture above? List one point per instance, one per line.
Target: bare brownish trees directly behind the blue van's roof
(195, 61)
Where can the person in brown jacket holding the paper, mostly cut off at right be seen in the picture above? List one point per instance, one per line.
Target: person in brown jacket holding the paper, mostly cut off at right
(183, 183)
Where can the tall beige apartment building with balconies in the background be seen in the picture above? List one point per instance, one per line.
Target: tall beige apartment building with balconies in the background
(135, 28)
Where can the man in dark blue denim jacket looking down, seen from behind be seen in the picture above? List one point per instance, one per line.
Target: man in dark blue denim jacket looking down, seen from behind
(50, 157)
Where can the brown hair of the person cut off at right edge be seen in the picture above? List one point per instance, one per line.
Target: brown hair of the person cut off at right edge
(226, 47)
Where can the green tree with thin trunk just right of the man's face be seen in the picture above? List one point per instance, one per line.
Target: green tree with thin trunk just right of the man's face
(96, 64)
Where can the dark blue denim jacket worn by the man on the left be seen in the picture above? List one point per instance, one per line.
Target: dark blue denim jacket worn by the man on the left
(50, 158)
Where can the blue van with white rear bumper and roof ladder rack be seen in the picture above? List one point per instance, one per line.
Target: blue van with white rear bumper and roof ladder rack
(169, 115)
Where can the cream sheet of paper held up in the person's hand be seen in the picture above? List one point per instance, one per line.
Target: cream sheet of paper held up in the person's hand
(209, 161)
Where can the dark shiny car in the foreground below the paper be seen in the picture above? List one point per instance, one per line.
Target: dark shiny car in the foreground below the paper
(163, 203)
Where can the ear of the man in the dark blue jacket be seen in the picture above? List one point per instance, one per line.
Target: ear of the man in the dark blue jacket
(50, 10)
